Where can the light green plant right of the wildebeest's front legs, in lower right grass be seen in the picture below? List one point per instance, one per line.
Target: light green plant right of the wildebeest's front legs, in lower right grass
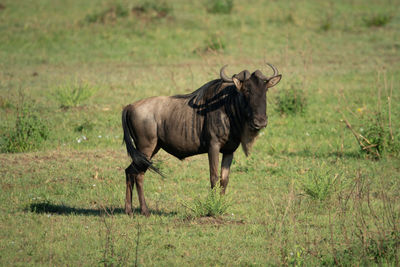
(319, 186)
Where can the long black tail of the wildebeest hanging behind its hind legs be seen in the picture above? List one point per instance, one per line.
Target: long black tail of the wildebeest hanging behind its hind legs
(139, 160)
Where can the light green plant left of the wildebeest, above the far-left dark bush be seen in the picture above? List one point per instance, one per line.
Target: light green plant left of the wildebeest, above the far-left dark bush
(74, 94)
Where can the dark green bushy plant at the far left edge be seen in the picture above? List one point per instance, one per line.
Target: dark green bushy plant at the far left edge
(28, 133)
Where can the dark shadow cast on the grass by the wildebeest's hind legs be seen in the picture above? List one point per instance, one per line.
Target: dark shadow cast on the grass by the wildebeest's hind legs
(46, 207)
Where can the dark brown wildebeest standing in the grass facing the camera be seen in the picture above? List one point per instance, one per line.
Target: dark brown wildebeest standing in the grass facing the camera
(214, 119)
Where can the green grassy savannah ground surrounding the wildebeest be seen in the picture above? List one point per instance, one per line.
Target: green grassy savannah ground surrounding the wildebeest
(305, 196)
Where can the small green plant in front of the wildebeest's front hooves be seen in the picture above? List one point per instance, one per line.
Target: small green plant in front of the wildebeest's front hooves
(214, 205)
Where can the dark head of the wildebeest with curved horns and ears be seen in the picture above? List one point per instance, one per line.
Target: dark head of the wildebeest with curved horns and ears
(254, 87)
